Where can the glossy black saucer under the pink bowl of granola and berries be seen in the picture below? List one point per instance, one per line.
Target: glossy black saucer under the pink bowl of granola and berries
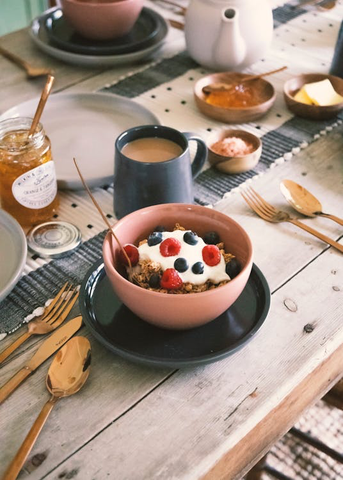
(122, 332)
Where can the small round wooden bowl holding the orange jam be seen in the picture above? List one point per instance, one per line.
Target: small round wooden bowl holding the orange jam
(264, 91)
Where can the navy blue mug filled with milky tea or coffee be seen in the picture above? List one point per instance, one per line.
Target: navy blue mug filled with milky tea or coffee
(142, 183)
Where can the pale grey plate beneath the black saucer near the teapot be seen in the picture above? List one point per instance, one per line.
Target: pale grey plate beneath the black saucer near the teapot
(40, 37)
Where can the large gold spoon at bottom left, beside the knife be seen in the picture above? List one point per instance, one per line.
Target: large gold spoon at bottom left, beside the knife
(67, 374)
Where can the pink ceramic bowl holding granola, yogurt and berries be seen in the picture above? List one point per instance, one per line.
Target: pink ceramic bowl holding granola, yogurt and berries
(169, 310)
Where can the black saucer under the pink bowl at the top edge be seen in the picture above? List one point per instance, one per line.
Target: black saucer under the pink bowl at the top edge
(145, 32)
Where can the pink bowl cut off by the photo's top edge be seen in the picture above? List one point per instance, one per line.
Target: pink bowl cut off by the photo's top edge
(102, 20)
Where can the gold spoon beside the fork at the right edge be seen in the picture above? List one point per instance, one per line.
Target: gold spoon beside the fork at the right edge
(303, 201)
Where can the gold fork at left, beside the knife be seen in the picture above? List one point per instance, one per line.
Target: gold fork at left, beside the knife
(52, 318)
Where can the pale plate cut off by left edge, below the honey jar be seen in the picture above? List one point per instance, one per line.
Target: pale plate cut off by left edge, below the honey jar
(13, 251)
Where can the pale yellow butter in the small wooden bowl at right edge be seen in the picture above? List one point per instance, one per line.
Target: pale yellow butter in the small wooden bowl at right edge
(319, 93)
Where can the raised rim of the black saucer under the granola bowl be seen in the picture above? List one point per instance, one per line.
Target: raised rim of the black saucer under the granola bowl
(152, 361)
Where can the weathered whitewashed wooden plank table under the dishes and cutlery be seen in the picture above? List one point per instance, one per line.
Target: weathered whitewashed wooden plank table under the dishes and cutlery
(215, 421)
